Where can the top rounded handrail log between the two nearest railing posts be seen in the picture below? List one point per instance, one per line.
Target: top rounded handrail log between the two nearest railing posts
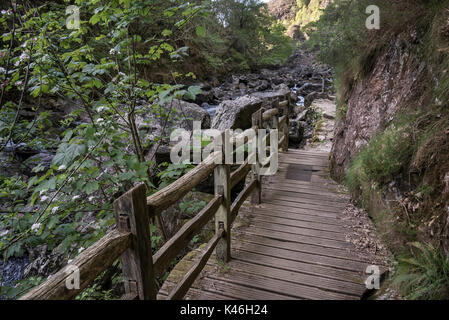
(164, 198)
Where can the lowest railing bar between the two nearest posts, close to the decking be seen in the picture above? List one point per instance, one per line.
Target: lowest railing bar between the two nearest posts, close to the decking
(183, 286)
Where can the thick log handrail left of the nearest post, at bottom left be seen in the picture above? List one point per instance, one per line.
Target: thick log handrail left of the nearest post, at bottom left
(90, 263)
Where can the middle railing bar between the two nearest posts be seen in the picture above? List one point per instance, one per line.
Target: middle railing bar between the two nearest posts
(165, 255)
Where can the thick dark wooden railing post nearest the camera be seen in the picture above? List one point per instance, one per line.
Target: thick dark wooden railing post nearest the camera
(131, 214)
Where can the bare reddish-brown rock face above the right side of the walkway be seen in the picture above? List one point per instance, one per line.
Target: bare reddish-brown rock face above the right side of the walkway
(396, 82)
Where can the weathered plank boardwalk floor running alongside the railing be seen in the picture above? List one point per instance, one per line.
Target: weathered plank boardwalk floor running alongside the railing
(292, 246)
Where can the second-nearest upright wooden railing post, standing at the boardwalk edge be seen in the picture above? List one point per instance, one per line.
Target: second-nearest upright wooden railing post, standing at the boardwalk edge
(222, 186)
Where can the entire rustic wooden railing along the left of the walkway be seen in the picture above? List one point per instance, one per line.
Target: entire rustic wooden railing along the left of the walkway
(130, 240)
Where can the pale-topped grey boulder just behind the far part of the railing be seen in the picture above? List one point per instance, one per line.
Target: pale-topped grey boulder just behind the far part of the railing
(236, 114)
